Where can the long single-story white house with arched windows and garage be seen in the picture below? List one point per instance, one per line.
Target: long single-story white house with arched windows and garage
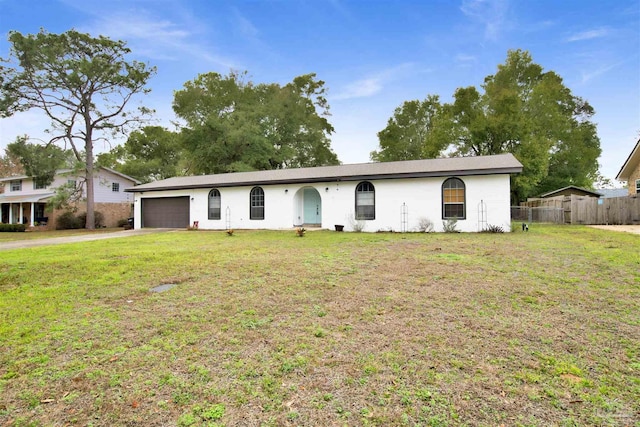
(387, 196)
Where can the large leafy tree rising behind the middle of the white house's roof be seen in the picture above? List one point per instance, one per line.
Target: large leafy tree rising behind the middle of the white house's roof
(234, 125)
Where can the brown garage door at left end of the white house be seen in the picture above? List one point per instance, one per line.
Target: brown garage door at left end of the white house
(168, 212)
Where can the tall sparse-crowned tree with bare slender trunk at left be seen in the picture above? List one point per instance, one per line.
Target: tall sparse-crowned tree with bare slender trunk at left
(83, 84)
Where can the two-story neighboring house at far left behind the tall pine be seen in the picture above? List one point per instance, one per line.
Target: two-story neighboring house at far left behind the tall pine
(25, 199)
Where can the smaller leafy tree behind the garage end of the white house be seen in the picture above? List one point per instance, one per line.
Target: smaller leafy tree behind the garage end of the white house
(150, 154)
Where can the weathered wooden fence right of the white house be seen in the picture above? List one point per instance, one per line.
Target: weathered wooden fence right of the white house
(591, 210)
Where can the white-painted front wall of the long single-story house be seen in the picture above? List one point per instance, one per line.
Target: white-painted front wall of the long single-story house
(422, 196)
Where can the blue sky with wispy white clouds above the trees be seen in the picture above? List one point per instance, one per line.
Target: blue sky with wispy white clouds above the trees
(372, 55)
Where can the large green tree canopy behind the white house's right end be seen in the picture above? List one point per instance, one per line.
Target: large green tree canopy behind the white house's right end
(522, 110)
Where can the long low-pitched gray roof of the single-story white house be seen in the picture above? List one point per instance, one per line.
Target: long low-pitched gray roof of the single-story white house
(459, 166)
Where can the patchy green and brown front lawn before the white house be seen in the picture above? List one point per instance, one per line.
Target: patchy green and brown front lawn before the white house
(265, 328)
